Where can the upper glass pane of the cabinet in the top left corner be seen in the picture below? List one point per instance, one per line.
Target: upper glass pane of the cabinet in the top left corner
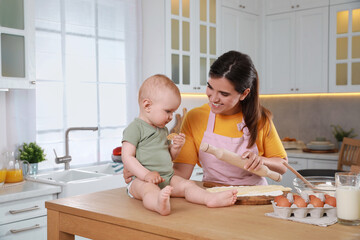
(12, 14)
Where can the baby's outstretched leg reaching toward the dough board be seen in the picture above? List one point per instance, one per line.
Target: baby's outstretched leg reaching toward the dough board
(195, 194)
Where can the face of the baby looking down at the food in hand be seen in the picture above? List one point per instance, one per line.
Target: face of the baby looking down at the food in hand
(162, 109)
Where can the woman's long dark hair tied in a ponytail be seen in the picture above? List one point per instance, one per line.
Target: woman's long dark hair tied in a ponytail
(240, 71)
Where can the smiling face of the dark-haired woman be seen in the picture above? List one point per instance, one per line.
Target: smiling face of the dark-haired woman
(223, 98)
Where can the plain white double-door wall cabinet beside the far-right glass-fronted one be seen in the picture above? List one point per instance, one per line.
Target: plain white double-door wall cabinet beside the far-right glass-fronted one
(297, 52)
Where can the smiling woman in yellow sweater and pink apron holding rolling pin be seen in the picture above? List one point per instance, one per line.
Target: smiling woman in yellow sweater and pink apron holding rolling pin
(233, 119)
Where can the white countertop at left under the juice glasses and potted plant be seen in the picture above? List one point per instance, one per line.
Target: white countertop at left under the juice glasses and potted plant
(26, 189)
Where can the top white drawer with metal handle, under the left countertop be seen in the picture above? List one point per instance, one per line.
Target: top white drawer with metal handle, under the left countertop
(24, 209)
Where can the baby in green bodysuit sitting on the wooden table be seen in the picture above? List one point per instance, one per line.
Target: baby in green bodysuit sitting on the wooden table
(148, 155)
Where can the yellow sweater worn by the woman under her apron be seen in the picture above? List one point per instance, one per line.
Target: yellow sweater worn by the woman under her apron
(194, 126)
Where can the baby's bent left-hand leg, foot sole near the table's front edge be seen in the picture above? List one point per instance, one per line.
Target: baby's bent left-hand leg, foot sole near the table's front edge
(153, 198)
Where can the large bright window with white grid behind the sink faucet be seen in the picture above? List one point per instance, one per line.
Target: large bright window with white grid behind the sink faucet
(83, 52)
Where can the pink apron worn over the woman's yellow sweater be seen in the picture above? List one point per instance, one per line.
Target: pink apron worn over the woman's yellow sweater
(219, 171)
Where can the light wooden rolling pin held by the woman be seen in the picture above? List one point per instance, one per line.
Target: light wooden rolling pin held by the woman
(236, 160)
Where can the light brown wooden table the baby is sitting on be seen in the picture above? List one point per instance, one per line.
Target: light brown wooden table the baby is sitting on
(113, 215)
